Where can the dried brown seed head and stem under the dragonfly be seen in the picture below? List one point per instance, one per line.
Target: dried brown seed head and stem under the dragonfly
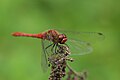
(59, 63)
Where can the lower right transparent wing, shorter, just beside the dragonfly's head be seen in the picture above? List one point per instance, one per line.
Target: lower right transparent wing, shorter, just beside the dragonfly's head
(79, 47)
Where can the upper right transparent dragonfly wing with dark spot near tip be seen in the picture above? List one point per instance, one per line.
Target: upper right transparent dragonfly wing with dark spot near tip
(84, 36)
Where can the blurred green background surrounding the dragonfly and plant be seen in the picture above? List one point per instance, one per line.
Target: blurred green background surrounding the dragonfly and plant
(20, 57)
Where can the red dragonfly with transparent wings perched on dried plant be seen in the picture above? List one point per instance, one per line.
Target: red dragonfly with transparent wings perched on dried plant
(52, 39)
